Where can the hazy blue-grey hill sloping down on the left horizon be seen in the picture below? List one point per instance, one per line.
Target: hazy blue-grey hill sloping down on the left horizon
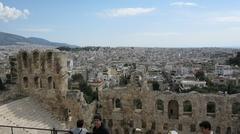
(12, 39)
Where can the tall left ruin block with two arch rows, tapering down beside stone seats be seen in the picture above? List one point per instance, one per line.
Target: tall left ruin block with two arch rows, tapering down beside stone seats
(44, 75)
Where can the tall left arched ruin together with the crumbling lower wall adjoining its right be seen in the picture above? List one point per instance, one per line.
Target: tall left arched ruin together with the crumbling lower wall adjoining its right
(44, 76)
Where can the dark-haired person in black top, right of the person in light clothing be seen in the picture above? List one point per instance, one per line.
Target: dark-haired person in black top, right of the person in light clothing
(98, 125)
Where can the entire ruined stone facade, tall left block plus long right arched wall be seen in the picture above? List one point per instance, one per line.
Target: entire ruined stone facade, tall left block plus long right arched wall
(44, 76)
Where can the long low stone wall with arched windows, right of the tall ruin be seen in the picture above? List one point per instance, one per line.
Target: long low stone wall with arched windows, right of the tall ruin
(124, 119)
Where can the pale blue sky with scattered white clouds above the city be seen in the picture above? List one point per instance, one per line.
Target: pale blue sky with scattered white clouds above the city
(156, 23)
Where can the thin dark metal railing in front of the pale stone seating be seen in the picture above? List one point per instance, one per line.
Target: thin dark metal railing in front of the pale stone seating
(52, 131)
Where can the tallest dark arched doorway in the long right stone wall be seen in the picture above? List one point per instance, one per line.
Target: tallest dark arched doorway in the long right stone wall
(173, 109)
